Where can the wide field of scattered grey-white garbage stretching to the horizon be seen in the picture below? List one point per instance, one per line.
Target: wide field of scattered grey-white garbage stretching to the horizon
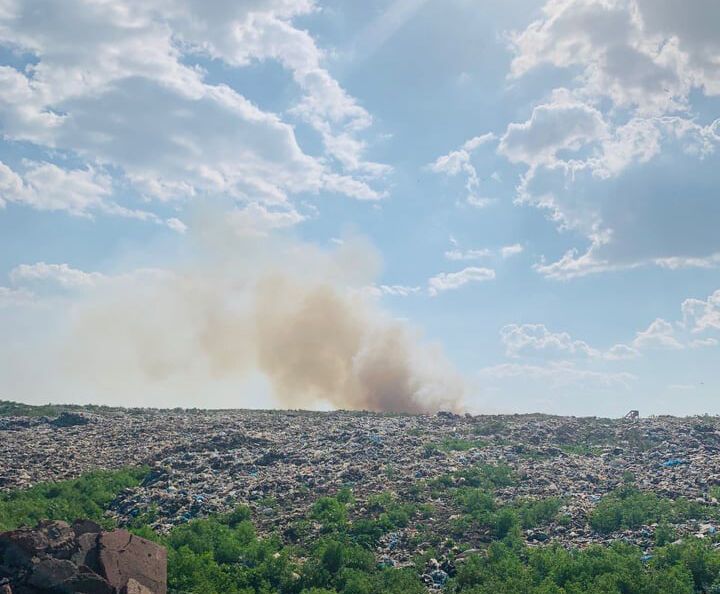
(280, 462)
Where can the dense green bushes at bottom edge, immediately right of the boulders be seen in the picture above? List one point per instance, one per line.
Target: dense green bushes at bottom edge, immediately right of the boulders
(210, 556)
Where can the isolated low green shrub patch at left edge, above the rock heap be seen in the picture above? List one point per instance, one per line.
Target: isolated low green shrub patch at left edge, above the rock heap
(85, 497)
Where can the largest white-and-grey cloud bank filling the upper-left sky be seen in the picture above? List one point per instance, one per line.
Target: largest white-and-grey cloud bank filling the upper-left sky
(114, 83)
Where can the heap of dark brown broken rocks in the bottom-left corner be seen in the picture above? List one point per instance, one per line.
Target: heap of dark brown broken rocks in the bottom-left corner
(60, 558)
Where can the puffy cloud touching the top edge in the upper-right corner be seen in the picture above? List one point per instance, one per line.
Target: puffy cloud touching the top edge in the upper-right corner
(639, 53)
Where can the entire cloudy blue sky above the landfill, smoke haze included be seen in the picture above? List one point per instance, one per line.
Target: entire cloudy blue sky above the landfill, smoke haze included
(526, 191)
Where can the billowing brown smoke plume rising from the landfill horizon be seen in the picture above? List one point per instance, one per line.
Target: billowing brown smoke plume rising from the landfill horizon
(293, 315)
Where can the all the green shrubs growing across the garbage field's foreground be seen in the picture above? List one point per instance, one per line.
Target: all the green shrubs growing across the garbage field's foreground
(223, 554)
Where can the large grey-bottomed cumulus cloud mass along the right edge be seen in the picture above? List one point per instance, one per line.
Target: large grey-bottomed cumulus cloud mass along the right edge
(587, 147)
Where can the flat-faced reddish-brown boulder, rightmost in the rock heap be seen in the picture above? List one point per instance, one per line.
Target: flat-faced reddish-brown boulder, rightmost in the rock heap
(124, 556)
